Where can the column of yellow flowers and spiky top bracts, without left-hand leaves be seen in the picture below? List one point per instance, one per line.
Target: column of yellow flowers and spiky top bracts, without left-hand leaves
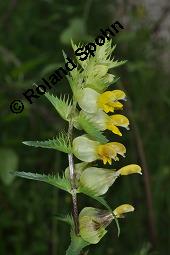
(99, 107)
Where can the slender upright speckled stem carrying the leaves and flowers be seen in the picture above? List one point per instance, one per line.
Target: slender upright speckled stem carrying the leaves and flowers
(73, 184)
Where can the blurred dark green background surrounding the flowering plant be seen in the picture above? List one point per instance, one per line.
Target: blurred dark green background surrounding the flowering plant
(32, 37)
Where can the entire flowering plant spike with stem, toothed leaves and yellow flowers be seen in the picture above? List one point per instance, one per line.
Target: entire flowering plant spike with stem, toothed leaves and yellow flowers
(93, 109)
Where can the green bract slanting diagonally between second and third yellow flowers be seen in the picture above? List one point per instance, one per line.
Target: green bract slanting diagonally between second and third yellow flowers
(91, 129)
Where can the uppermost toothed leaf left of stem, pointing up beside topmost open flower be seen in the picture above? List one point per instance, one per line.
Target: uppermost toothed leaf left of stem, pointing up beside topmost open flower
(62, 105)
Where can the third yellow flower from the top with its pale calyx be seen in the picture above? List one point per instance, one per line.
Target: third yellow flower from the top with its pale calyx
(88, 150)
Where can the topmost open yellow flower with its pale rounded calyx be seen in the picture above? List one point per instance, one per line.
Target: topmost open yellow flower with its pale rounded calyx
(91, 101)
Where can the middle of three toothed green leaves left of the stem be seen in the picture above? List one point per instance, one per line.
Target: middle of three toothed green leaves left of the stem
(61, 143)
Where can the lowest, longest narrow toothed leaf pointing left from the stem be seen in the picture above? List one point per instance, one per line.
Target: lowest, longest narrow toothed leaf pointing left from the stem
(57, 181)
